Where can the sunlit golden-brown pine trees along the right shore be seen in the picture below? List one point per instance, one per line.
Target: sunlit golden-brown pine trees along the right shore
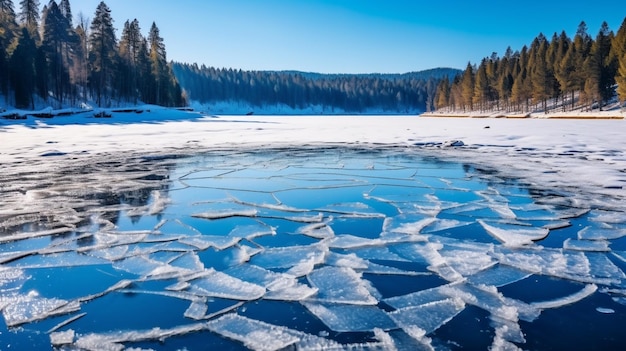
(558, 73)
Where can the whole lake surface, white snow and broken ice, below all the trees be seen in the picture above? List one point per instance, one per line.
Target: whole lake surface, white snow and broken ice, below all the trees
(342, 232)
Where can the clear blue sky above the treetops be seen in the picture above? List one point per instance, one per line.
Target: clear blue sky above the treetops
(352, 36)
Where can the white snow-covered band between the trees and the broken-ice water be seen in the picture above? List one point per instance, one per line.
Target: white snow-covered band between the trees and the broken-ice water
(587, 154)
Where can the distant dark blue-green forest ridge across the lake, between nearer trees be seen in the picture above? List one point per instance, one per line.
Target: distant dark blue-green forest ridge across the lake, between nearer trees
(351, 93)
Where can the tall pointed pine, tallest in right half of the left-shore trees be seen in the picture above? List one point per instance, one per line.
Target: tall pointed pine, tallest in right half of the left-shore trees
(102, 53)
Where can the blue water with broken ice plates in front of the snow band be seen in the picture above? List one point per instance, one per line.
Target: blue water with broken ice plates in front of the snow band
(306, 248)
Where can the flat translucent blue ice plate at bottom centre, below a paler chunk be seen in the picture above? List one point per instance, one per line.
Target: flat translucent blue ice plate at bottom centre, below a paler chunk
(350, 318)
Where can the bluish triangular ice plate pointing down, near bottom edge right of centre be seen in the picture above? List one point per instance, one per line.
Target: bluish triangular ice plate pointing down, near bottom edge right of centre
(428, 317)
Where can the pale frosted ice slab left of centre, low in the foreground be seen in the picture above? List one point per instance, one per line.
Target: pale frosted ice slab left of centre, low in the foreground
(218, 284)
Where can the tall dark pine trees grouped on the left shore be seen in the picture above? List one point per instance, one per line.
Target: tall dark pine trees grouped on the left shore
(44, 55)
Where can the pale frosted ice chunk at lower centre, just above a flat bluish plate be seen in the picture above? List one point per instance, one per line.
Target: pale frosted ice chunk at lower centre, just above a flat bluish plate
(341, 285)
